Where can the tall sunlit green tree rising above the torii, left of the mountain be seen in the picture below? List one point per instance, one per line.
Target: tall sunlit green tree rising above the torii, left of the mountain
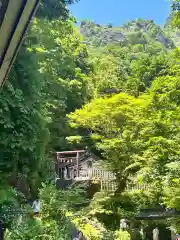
(64, 67)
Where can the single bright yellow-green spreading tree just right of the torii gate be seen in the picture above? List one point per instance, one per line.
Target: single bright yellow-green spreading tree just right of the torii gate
(115, 124)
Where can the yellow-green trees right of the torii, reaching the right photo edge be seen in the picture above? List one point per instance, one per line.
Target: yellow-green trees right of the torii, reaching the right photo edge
(136, 136)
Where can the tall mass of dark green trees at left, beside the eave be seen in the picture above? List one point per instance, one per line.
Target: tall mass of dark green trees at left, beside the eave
(47, 81)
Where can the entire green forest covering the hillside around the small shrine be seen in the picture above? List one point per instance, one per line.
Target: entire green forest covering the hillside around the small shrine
(112, 90)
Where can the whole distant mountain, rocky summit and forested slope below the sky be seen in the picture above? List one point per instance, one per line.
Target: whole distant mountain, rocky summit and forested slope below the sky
(128, 58)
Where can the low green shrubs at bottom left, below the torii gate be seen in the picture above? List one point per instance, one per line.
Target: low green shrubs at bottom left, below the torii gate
(52, 223)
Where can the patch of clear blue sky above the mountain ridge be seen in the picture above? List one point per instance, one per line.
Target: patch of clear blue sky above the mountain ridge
(118, 12)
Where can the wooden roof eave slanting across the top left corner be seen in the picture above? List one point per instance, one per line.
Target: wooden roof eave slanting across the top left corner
(15, 17)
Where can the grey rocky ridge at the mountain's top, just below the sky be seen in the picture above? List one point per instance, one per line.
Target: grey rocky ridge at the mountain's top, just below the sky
(135, 32)
